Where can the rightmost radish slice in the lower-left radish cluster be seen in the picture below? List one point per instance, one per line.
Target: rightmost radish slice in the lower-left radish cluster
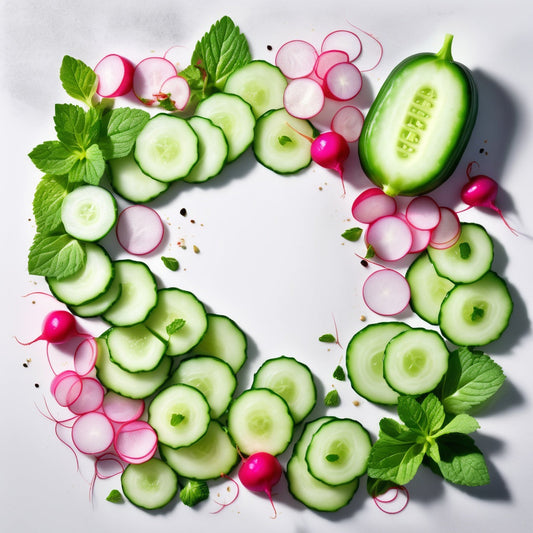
(135, 442)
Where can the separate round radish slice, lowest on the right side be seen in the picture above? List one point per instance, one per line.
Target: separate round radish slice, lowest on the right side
(386, 292)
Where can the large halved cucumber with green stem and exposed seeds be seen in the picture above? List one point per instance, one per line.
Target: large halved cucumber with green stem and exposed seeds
(419, 125)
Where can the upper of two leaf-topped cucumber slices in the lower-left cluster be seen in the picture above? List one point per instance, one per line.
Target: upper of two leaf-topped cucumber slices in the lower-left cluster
(181, 311)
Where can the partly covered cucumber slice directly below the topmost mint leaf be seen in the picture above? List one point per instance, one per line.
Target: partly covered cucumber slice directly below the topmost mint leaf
(234, 116)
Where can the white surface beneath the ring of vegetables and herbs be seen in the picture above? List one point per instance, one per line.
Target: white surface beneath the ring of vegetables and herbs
(271, 255)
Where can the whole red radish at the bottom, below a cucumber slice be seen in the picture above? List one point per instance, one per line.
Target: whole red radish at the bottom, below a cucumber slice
(260, 472)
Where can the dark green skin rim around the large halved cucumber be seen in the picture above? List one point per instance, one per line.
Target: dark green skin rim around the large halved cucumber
(441, 175)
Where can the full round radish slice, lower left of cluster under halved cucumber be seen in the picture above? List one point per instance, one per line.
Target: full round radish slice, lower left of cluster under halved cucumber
(390, 237)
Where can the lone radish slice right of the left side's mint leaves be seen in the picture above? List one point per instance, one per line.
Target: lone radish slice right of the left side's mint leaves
(139, 229)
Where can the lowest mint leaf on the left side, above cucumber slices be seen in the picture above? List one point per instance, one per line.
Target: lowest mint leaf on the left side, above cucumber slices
(55, 256)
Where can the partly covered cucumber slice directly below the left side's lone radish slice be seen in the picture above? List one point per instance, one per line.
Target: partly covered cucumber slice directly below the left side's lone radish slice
(138, 294)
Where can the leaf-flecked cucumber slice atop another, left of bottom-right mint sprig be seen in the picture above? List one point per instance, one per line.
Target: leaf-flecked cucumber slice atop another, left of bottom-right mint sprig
(338, 452)
